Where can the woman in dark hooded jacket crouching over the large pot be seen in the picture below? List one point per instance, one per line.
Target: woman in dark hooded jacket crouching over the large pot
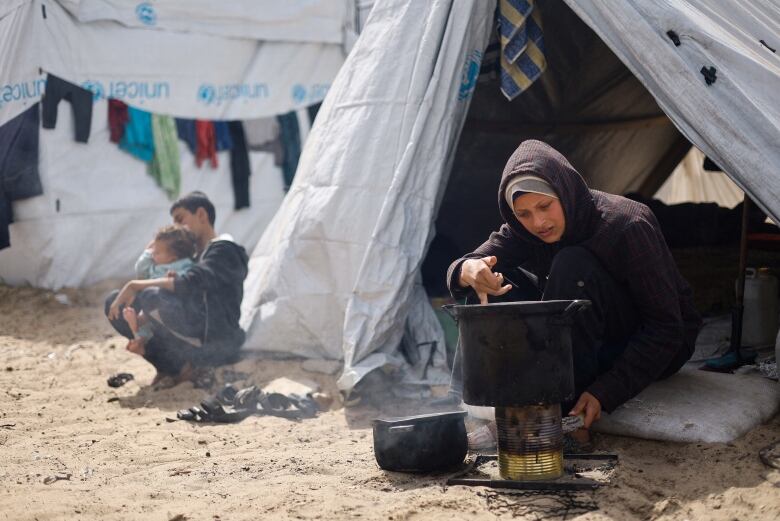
(562, 240)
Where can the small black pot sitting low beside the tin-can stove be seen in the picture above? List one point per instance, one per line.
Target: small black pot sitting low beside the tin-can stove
(422, 443)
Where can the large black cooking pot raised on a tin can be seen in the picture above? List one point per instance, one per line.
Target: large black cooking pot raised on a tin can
(517, 353)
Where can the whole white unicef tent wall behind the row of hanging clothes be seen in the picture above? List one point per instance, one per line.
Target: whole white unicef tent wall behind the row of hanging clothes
(99, 206)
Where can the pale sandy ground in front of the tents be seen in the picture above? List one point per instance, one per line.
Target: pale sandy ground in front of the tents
(125, 461)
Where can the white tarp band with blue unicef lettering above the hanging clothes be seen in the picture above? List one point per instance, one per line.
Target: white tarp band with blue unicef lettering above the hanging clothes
(181, 74)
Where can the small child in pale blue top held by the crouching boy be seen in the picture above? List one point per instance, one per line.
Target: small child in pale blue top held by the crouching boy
(170, 253)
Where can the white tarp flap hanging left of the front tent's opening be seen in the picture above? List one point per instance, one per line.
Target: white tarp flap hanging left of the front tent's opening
(334, 275)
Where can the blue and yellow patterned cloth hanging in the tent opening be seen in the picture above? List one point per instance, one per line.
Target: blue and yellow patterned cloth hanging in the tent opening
(522, 46)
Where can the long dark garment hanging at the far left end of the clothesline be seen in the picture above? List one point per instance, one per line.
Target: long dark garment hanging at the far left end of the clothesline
(19, 177)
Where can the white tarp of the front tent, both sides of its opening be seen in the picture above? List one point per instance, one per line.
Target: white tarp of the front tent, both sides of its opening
(333, 275)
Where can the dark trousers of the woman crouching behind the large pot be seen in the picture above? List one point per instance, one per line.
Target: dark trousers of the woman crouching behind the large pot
(599, 334)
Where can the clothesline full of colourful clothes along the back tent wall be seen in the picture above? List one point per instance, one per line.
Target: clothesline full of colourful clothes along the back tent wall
(152, 138)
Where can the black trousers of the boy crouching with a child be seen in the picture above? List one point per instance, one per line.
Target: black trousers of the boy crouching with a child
(170, 349)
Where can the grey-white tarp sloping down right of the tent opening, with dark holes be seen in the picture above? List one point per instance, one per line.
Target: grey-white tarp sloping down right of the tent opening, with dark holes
(736, 120)
